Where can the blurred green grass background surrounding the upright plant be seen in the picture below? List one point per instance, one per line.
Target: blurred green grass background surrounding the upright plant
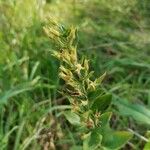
(113, 34)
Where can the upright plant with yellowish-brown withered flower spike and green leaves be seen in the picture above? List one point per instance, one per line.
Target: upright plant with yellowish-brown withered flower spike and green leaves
(89, 112)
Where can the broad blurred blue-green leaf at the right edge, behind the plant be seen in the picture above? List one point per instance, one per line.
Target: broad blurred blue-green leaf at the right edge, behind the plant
(138, 112)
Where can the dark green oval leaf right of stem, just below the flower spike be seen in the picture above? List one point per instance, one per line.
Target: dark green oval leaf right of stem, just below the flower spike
(101, 103)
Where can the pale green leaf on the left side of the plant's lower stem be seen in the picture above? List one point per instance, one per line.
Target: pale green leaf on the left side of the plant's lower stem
(73, 118)
